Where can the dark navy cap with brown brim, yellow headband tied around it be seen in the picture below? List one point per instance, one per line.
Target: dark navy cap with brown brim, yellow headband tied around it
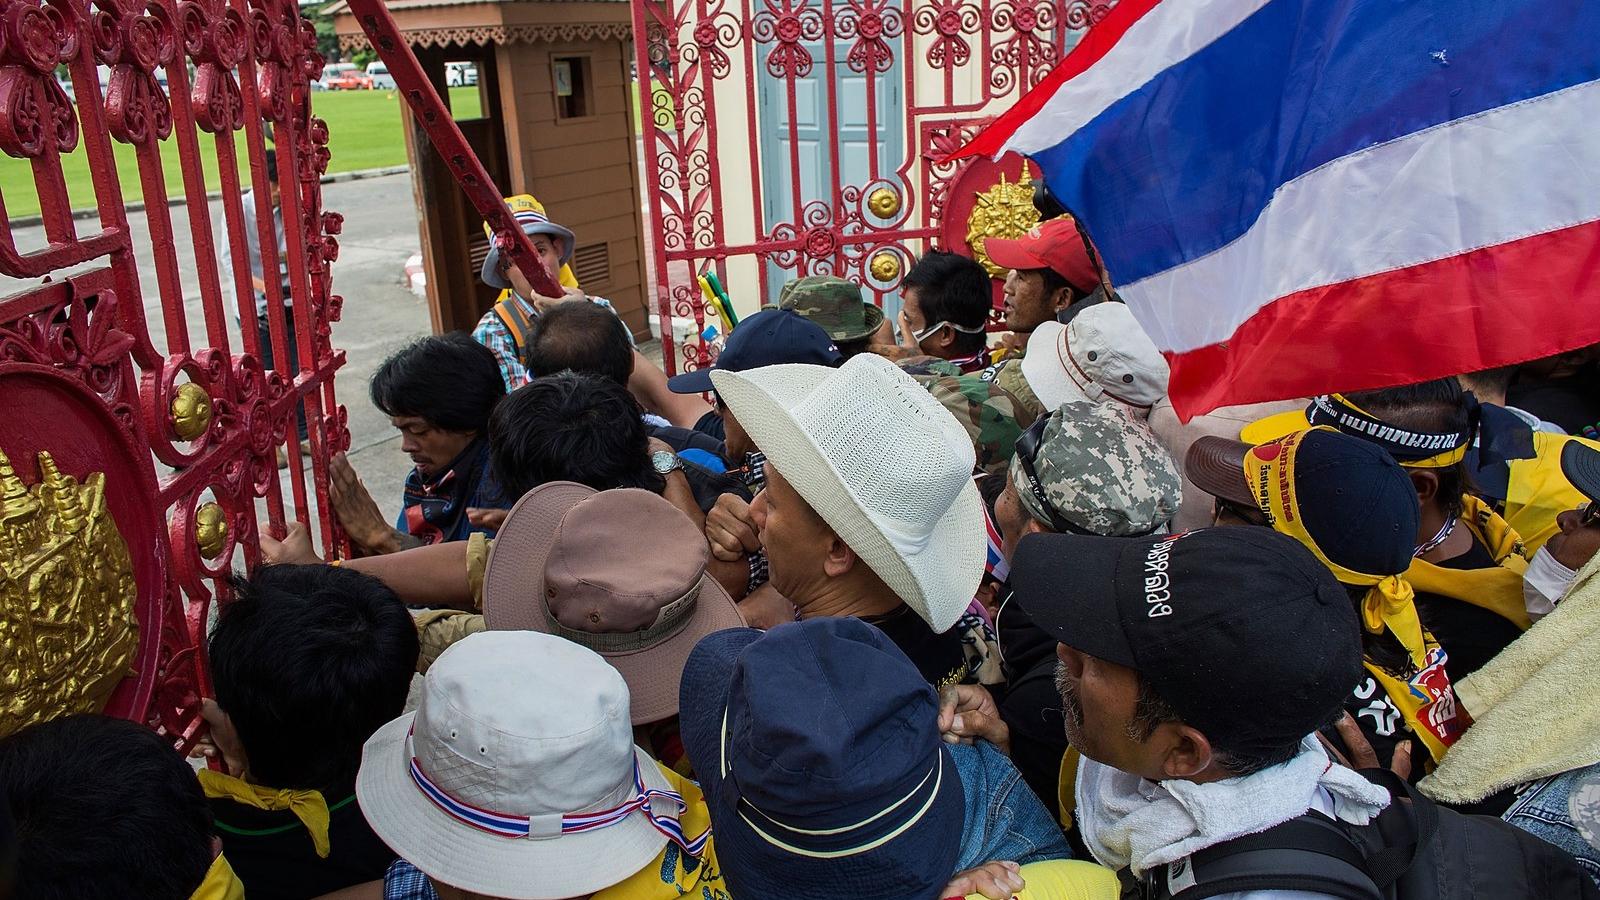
(1351, 496)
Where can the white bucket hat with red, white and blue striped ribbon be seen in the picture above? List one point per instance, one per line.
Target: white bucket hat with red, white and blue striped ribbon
(519, 761)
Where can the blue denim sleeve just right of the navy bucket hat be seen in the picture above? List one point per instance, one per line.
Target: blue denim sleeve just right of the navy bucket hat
(1004, 818)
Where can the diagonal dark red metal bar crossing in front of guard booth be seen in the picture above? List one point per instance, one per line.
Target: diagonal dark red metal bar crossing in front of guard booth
(442, 131)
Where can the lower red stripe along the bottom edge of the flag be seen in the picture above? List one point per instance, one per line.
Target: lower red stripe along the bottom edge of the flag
(1407, 326)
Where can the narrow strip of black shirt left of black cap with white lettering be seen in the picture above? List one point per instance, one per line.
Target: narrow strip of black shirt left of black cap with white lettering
(1031, 705)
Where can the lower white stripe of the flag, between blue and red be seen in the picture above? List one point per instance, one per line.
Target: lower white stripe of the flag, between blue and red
(1492, 179)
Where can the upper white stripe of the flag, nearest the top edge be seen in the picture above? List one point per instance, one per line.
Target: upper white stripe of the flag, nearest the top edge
(1169, 34)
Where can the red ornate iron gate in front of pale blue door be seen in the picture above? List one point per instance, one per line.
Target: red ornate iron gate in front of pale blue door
(722, 81)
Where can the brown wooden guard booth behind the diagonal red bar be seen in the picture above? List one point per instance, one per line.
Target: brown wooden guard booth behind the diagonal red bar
(554, 121)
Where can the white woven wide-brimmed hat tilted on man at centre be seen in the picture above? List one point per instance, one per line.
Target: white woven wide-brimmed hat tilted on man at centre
(884, 464)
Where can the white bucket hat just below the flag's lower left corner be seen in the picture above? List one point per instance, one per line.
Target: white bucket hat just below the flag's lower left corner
(1103, 355)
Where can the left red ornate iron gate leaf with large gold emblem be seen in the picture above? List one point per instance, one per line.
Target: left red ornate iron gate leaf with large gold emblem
(137, 452)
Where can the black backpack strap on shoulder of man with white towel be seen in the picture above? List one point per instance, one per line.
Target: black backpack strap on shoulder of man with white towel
(1311, 853)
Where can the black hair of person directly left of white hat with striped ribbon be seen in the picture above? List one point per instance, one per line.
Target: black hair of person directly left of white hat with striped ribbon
(311, 654)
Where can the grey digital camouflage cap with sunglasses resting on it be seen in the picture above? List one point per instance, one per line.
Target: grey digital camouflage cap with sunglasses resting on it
(1102, 472)
